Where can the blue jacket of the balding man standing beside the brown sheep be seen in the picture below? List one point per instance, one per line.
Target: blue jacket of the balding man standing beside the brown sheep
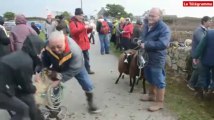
(156, 40)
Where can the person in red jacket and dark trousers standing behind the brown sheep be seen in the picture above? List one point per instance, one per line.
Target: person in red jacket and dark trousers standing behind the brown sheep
(127, 34)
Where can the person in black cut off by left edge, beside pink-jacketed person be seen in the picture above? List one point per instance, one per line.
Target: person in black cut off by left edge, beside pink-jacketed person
(4, 39)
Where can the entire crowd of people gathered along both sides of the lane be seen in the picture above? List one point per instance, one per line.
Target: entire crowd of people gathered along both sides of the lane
(66, 52)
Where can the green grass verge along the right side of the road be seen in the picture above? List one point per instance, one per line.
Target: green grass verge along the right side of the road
(181, 101)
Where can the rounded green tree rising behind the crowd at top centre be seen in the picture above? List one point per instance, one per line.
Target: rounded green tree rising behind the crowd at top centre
(117, 11)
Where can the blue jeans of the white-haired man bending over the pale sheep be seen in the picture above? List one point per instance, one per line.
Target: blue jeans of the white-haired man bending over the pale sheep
(84, 80)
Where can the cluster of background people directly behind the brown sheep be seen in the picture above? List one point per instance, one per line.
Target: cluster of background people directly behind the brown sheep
(124, 33)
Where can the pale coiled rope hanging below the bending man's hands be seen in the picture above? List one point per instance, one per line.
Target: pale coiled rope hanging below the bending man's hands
(53, 99)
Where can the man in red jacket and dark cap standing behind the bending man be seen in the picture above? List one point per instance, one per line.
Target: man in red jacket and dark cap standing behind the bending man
(79, 32)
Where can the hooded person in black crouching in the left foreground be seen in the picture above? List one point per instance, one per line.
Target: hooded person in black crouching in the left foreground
(16, 87)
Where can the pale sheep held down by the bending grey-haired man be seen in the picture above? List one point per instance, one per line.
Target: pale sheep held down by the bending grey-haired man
(48, 98)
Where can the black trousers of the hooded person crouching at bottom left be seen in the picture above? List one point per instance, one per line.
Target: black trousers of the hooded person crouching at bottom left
(24, 107)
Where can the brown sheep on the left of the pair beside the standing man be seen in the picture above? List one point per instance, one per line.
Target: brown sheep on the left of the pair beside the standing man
(123, 67)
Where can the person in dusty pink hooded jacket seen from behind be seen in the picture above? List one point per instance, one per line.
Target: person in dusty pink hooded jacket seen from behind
(19, 33)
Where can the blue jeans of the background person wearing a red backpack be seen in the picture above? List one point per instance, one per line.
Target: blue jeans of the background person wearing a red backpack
(104, 43)
